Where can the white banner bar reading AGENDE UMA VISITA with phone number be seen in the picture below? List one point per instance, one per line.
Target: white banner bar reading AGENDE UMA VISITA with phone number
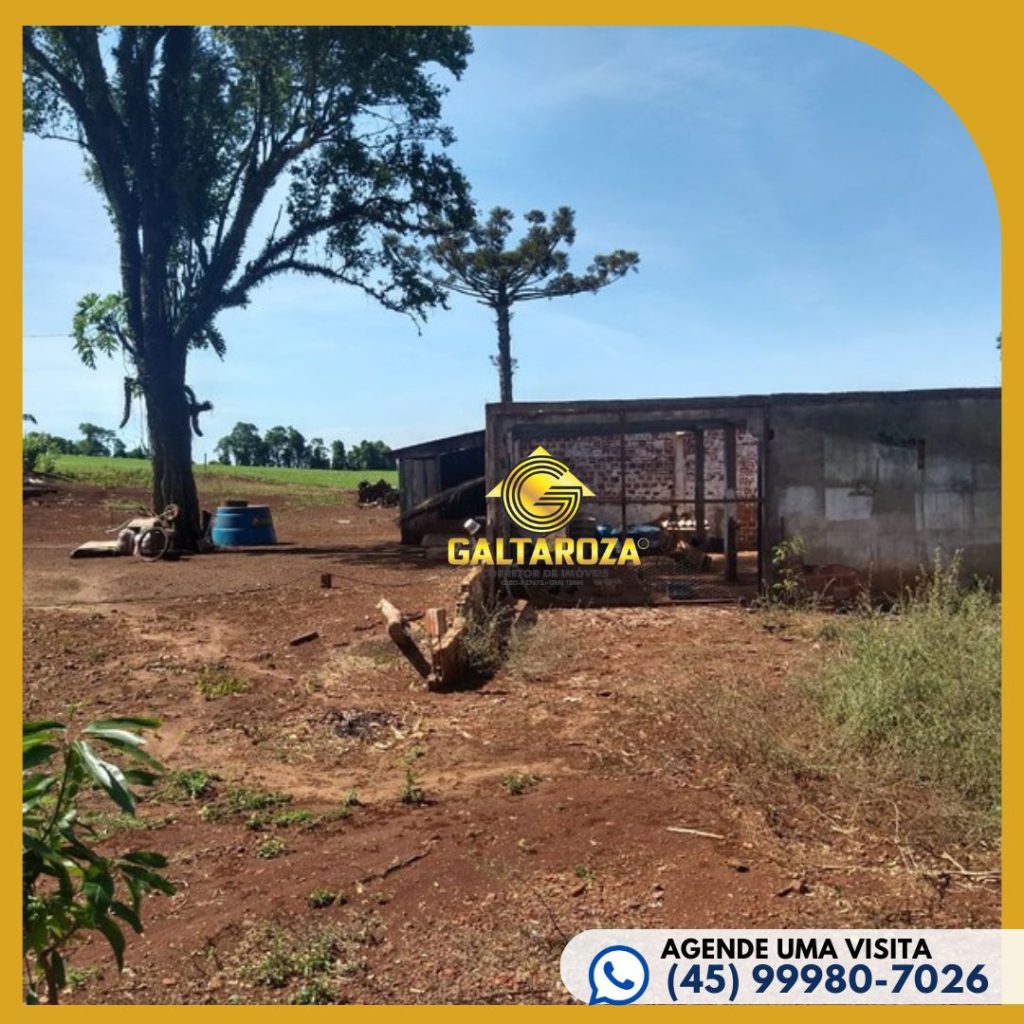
(790, 966)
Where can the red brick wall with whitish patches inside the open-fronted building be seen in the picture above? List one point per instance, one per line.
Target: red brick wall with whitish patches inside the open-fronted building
(651, 465)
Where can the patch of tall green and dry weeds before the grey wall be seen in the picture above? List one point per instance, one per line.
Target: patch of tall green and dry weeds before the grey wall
(900, 730)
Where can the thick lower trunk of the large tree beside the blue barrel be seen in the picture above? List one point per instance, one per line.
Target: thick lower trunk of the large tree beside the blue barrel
(163, 379)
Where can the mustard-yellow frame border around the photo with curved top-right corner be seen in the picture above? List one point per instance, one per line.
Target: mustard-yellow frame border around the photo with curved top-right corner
(969, 56)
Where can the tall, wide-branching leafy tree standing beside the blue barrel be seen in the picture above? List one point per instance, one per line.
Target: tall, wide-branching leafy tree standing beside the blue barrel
(190, 133)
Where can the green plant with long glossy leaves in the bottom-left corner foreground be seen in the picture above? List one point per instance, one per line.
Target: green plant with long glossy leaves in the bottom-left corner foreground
(70, 887)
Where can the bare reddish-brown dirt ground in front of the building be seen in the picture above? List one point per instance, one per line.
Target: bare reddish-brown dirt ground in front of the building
(548, 792)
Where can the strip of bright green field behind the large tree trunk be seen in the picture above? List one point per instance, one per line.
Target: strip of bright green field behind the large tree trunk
(136, 474)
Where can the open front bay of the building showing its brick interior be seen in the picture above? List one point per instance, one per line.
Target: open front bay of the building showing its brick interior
(690, 498)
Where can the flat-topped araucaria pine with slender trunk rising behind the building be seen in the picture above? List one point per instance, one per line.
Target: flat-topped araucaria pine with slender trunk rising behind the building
(480, 263)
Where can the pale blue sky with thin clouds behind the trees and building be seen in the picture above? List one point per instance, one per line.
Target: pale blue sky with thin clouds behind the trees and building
(810, 216)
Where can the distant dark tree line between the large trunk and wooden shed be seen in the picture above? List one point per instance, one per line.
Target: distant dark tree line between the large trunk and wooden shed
(286, 447)
